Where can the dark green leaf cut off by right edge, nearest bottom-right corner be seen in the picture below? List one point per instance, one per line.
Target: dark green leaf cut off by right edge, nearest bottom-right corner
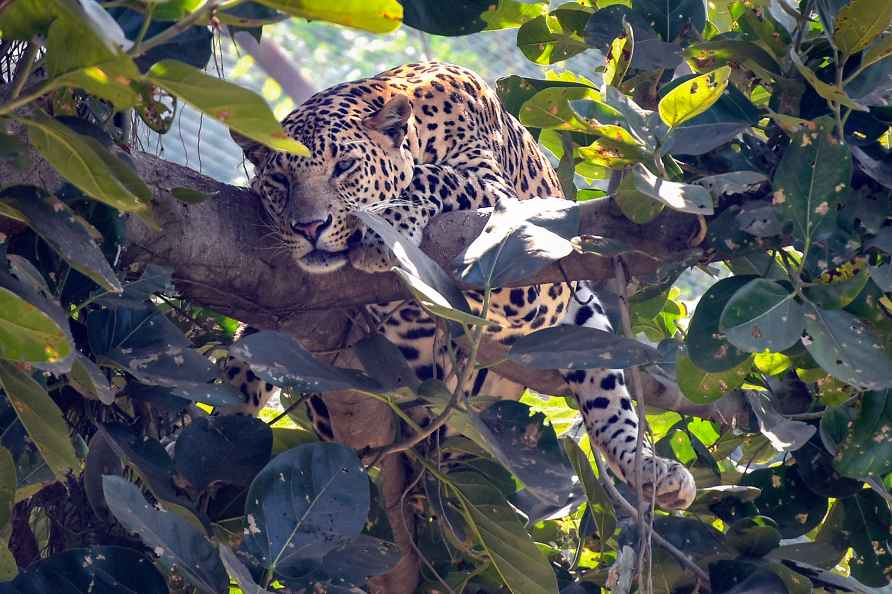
(868, 523)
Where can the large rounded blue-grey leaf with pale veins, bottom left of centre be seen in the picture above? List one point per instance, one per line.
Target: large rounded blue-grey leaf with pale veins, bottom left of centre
(305, 503)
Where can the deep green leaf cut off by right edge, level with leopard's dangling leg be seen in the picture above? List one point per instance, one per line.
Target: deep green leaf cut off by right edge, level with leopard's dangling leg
(867, 449)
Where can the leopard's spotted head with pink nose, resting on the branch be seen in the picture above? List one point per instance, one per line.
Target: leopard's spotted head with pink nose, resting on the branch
(358, 162)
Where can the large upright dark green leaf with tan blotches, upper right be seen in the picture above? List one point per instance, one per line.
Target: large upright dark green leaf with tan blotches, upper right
(811, 179)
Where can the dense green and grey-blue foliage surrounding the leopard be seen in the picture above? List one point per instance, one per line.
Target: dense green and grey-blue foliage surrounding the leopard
(767, 121)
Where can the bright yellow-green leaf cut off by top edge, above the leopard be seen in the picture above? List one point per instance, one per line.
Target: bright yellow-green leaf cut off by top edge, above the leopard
(377, 16)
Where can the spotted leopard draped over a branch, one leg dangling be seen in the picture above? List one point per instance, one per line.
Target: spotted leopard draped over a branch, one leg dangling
(410, 143)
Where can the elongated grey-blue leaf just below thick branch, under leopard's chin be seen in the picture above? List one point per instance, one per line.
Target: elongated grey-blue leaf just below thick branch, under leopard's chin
(278, 358)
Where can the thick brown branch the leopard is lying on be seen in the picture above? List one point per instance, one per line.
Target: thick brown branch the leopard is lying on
(222, 257)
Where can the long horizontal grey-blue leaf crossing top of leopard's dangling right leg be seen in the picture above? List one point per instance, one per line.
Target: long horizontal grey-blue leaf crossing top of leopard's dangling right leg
(578, 347)
